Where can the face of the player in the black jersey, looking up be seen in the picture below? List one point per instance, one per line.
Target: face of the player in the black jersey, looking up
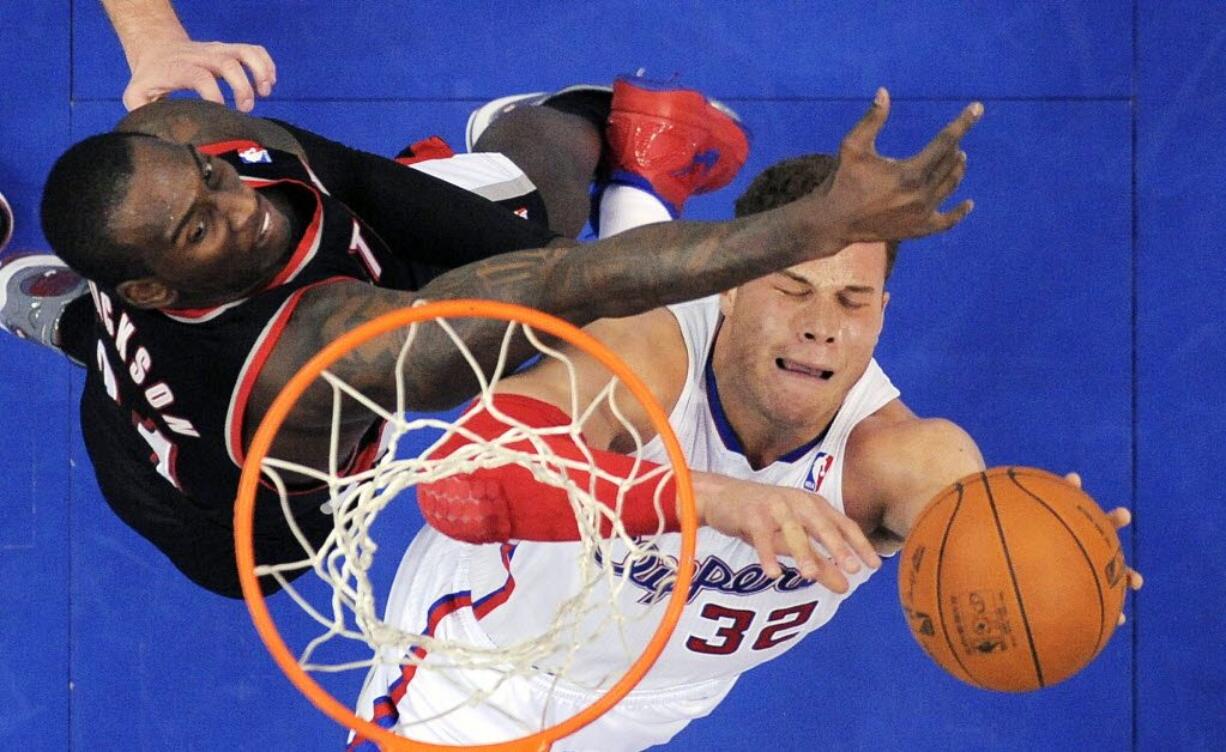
(205, 235)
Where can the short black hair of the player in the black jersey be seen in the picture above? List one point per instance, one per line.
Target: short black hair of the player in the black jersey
(85, 187)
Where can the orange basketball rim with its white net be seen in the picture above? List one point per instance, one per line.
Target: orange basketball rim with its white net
(343, 560)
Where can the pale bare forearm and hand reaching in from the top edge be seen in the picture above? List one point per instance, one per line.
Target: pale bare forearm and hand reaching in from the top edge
(164, 59)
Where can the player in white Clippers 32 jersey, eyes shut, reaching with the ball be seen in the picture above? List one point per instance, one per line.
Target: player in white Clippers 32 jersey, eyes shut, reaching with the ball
(774, 394)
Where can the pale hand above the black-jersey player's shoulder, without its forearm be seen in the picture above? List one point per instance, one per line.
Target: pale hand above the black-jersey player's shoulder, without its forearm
(170, 66)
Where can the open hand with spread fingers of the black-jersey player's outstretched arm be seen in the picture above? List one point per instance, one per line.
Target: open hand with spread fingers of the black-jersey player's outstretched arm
(877, 198)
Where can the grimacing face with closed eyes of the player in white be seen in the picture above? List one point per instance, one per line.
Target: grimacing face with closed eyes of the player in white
(798, 342)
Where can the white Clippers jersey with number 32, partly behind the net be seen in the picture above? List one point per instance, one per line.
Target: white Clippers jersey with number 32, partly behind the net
(736, 618)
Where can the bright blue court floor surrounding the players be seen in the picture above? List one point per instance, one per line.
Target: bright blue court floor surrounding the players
(1076, 322)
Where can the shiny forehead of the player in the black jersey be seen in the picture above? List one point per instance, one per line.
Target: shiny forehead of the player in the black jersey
(162, 188)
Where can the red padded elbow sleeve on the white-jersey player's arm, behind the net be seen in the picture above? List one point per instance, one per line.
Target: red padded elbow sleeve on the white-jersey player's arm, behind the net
(508, 504)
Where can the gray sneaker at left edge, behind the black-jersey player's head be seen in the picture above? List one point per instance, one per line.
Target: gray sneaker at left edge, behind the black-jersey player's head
(35, 288)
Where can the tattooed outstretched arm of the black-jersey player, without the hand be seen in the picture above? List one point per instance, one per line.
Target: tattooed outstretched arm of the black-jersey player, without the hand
(632, 273)
